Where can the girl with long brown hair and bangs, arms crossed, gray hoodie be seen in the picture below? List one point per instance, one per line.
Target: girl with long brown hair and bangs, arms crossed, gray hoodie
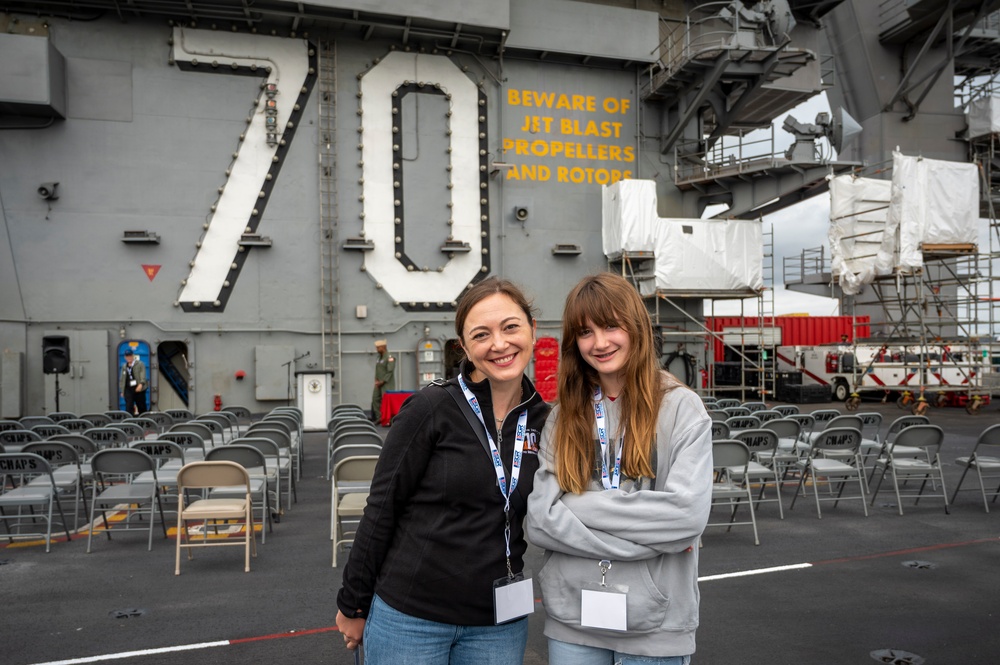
(622, 492)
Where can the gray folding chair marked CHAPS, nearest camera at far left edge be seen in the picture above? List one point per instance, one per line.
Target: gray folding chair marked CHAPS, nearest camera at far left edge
(33, 486)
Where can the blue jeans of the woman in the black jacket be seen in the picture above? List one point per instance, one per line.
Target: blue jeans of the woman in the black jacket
(394, 638)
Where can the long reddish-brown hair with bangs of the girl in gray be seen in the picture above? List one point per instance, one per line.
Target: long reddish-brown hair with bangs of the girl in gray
(607, 300)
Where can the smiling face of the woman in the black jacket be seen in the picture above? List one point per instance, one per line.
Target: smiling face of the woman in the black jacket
(498, 338)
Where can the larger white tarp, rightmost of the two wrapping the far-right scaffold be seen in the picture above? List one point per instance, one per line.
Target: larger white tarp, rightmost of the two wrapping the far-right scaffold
(933, 202)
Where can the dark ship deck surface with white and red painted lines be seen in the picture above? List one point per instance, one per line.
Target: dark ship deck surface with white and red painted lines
(921, 584)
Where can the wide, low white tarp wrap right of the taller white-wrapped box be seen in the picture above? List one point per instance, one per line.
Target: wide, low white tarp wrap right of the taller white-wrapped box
(709, 255)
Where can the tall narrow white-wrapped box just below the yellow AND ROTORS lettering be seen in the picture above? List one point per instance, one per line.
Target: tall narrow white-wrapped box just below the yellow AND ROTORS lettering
(629, 209)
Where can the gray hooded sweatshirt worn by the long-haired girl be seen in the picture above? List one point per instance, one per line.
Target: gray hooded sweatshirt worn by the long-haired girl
(648, 529)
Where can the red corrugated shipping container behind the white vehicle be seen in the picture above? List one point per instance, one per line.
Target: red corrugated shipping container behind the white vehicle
(795, 330)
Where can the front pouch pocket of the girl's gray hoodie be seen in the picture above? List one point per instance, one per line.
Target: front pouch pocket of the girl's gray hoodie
(563, 577)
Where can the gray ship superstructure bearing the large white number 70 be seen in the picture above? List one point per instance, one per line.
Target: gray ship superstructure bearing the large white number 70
(252, 193)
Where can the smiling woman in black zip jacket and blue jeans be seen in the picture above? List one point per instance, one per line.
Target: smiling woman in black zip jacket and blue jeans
(434, 575)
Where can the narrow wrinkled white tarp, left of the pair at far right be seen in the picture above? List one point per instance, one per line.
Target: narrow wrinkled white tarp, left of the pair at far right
(858, 209)
